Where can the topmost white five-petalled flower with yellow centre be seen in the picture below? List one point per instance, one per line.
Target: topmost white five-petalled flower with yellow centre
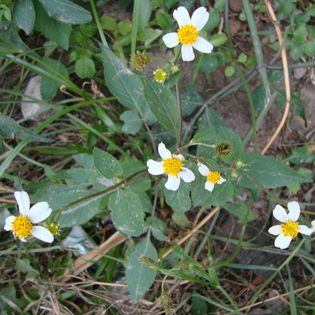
(188, 33)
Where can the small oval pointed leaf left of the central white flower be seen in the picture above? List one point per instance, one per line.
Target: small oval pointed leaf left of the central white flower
(106, 164)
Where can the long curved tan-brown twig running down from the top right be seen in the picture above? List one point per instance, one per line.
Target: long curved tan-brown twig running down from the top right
(286, 76)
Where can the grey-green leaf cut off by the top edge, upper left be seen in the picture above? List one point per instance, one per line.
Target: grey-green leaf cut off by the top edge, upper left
(66, 11)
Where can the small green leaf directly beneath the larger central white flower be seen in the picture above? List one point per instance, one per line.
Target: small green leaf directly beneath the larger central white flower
(179, 200)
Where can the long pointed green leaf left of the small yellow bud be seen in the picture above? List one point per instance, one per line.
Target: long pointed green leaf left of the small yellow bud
(125, 85)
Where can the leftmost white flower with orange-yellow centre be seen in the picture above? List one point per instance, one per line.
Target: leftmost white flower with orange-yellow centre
(23, 226)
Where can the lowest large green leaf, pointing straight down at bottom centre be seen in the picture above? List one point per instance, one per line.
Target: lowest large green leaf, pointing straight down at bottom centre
(140, 277)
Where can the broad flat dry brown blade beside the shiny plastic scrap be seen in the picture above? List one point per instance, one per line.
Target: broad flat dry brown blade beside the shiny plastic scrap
(96, 254)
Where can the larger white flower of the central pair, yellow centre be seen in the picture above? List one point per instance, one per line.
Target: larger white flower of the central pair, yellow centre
(173, 166)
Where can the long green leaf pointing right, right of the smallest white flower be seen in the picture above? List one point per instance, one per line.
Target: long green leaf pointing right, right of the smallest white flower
(269, 172)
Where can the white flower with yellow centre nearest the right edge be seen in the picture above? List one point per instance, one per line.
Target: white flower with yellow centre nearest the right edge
(289, 229)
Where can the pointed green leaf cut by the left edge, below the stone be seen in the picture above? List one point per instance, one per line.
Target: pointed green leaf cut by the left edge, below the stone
(10, 128)
